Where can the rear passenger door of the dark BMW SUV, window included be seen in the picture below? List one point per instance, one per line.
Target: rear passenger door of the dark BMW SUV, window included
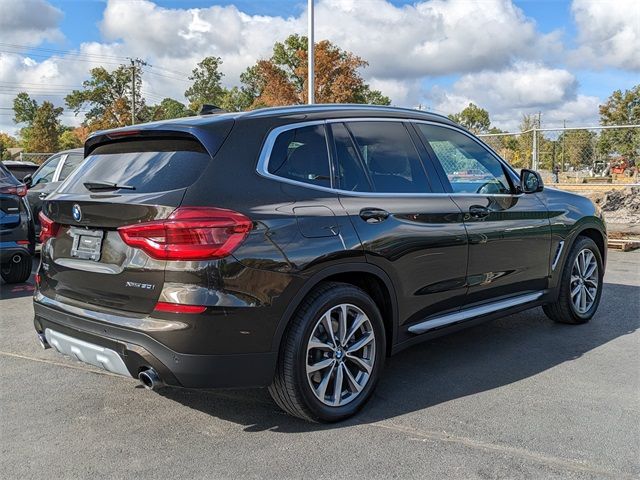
(406, 224)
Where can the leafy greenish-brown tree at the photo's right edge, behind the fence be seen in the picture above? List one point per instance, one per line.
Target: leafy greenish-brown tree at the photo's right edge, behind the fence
(621, 108)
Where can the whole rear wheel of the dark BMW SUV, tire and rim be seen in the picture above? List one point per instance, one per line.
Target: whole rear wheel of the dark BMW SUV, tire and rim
(331, 355)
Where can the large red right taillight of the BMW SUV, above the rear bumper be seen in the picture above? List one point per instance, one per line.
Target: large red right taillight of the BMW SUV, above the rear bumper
(190, 233)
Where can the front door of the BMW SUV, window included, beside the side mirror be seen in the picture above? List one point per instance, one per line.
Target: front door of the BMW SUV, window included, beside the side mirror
(509, 232)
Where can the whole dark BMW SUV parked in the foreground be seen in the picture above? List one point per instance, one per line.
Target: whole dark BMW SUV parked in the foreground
(297, 247)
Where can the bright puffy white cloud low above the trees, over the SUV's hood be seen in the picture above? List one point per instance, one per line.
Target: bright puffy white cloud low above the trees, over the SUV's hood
(524, 88)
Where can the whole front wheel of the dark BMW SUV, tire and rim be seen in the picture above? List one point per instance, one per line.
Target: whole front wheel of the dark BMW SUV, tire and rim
(580, 286)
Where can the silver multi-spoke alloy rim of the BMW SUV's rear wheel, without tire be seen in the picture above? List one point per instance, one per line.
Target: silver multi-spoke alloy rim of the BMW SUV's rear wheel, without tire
(340, 355)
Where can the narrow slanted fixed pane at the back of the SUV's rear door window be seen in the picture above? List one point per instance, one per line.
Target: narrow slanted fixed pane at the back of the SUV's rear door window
(350, 171)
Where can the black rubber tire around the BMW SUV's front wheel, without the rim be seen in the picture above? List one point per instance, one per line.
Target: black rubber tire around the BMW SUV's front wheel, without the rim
(563, 309)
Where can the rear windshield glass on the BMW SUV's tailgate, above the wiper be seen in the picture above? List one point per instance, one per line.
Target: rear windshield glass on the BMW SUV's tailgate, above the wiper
(149, 165)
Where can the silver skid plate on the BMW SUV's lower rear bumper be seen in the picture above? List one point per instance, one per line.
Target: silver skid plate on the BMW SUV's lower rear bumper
(86, 352)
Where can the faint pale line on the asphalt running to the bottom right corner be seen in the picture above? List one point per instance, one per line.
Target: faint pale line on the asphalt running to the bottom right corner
(540, 458)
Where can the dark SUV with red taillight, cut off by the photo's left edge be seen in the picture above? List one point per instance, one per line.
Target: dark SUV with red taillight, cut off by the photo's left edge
(17, 238)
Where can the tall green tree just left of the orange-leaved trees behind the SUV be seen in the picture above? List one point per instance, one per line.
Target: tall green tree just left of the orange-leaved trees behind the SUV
(207, 84)
